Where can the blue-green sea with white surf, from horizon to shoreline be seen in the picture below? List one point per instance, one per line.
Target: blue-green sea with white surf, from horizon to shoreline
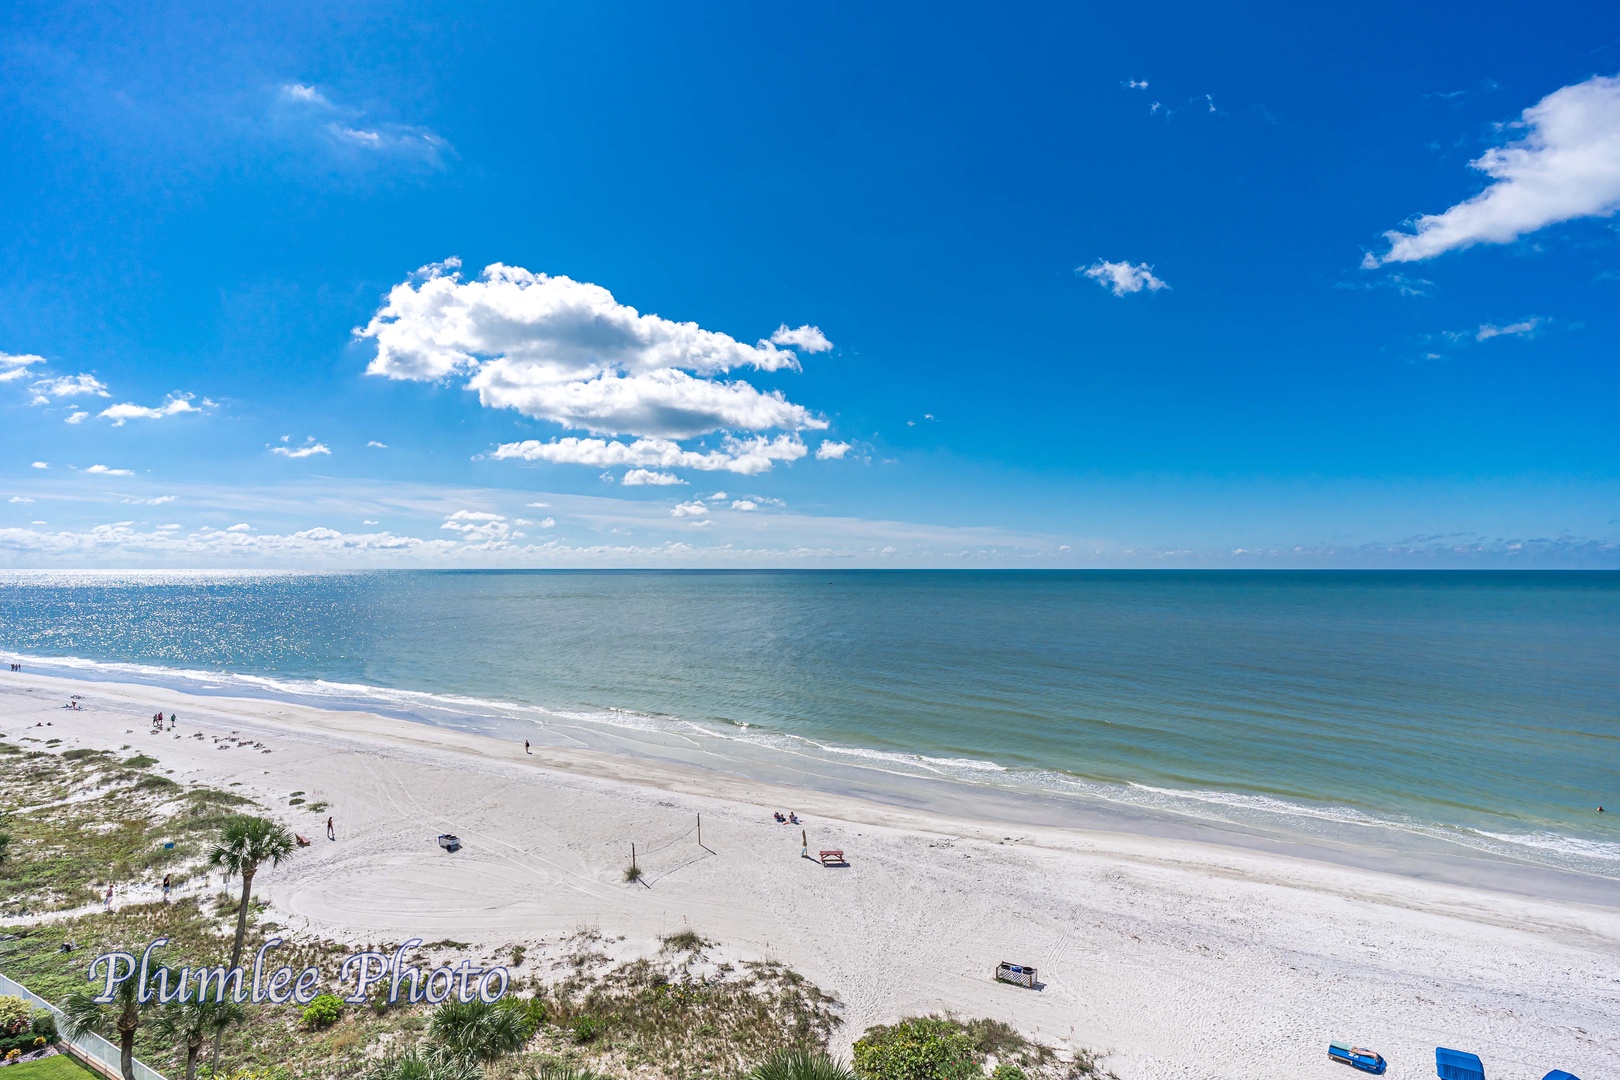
(1478, 708)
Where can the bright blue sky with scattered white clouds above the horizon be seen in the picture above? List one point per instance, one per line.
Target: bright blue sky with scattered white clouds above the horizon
(919, 286)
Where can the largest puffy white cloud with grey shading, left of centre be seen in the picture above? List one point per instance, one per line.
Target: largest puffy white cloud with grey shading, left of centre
(568, 352)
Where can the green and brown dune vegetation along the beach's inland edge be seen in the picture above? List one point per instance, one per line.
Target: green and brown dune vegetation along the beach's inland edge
(83, 819)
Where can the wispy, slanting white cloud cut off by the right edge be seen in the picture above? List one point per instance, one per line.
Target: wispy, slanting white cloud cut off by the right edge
(1566, 166)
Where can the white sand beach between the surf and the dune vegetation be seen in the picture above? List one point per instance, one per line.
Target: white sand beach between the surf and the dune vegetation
(1177, 959)
